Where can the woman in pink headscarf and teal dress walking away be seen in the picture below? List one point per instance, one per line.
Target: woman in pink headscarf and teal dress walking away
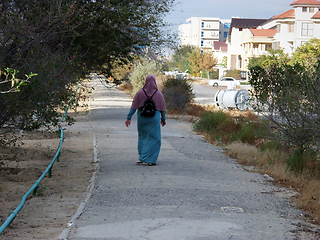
(149, 132)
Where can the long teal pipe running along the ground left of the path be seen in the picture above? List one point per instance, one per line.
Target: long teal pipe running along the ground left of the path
(48, 171)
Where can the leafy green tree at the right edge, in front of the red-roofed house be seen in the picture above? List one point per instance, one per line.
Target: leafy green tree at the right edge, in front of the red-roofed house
(288, 95)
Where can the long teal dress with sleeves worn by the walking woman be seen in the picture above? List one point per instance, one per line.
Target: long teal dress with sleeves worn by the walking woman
(149, 135)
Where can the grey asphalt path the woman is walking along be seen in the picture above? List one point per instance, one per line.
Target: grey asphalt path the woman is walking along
(195, 192)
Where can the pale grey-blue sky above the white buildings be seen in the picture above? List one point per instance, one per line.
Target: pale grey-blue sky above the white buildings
(226, 9)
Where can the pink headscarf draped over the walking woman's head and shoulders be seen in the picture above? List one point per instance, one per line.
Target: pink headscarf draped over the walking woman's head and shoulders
(150, 87)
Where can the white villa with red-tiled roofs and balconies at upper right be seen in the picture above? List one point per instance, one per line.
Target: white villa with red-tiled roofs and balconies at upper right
(287, 31)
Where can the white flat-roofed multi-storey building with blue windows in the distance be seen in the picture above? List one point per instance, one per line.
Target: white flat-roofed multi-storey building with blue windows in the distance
(203, 32)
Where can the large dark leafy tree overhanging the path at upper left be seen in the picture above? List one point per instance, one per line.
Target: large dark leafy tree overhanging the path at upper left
(62, 41)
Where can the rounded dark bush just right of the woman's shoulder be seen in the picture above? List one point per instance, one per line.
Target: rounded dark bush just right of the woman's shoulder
(177, 93)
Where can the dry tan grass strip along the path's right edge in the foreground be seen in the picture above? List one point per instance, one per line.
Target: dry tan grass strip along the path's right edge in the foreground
(272, 162)
